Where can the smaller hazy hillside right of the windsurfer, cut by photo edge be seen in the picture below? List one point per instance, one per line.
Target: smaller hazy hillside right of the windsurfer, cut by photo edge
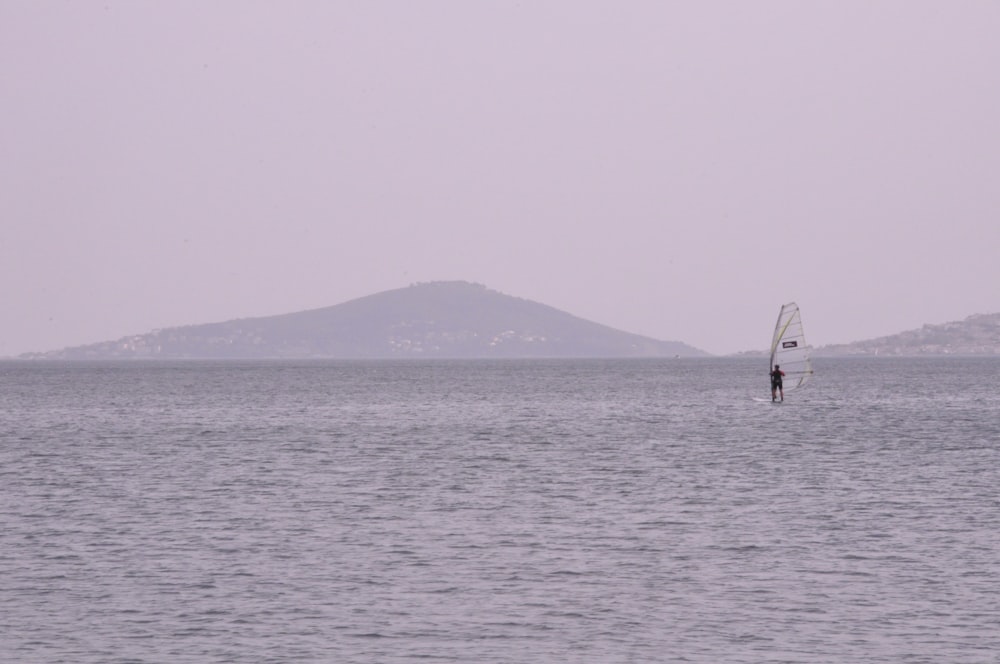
(976, 335)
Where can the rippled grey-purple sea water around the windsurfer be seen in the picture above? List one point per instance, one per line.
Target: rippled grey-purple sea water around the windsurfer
(543, 511)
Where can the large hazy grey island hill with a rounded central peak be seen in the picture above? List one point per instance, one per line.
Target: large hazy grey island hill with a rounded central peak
(440, 319)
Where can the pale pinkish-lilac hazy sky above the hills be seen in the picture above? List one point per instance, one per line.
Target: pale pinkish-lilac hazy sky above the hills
(675, 169)
